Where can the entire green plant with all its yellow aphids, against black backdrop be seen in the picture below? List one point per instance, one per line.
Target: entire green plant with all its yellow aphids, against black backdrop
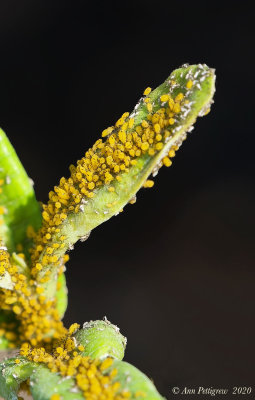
(54, 362)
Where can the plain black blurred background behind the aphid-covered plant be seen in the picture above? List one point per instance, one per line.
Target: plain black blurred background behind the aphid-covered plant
(176, 270)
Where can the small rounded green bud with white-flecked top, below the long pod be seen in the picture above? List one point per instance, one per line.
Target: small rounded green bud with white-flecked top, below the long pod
(101, 339)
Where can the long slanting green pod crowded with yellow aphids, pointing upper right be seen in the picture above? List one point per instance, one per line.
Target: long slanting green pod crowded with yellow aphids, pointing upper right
(112, 172)
